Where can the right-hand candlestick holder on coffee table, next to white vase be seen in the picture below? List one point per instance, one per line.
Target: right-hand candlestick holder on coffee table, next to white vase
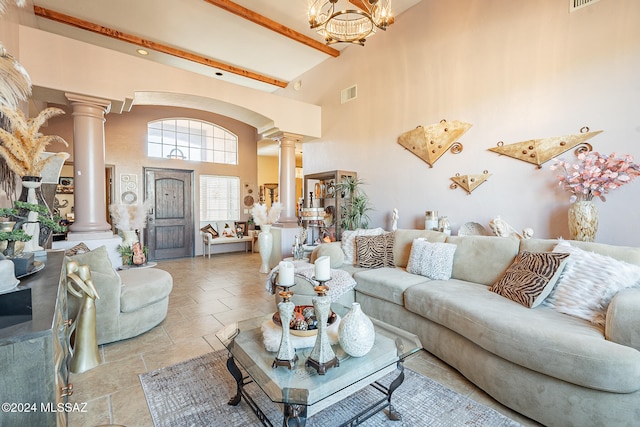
(322, 356)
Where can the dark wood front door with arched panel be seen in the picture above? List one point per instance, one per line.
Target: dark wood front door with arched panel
(170, 227)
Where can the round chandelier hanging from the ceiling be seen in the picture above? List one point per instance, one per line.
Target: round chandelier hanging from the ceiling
(349, 23)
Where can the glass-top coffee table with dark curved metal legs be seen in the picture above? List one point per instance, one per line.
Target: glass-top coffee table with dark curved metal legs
(302, 391)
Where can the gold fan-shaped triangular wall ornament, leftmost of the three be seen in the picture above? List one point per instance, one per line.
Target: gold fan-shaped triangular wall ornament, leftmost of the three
(432, 142)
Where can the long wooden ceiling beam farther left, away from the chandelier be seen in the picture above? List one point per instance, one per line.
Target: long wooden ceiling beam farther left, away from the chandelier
(159, 47)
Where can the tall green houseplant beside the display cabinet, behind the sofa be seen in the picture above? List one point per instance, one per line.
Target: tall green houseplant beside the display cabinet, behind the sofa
(356, 203)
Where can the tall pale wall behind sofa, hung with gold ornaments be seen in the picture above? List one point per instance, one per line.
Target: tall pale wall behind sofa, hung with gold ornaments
(516, 70)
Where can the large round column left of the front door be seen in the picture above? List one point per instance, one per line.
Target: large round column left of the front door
(89, 166)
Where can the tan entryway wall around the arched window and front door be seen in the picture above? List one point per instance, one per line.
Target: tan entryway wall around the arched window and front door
(125, 145)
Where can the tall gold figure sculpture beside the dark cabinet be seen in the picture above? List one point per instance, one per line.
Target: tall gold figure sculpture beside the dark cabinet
(85, 349)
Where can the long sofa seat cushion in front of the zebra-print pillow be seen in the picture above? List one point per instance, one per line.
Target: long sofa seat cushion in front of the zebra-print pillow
(541, 339)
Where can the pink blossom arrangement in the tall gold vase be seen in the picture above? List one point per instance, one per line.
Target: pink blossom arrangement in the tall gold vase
(595, 174)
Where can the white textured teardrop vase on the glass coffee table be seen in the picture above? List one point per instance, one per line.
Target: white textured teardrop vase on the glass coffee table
(356, 333)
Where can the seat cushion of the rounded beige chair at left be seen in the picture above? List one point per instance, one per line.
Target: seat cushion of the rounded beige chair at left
(142, 287)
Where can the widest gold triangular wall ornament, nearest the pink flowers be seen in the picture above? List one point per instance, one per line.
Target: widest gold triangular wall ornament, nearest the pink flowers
(538, 151)
